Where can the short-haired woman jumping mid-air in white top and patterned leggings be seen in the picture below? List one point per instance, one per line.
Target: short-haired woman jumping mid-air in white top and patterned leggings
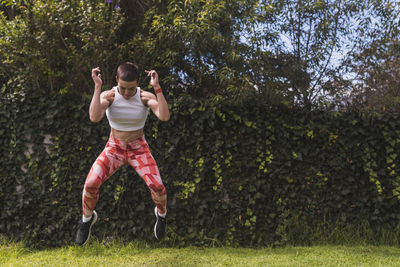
(126, 107)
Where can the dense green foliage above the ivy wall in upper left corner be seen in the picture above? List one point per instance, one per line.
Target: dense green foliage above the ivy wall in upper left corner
(49, 46)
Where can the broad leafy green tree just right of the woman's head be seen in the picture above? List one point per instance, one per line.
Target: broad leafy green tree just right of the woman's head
(204, 49)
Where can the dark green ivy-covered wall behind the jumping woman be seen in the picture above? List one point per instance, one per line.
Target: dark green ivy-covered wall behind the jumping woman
(236, 175)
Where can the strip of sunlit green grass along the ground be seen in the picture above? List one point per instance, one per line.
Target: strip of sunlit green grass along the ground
(140, 254)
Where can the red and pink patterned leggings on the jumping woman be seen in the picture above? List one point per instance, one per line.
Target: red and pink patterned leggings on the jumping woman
(118, 153)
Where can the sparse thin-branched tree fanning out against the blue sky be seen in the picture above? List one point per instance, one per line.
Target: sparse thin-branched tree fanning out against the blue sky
(311, 32)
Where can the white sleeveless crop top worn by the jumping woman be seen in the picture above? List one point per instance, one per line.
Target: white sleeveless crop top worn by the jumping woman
(127, 115)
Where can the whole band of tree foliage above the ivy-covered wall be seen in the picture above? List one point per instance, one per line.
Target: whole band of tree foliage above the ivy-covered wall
(294, 52)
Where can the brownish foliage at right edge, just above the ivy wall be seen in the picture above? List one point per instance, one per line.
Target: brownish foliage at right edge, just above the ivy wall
(377, 73)
